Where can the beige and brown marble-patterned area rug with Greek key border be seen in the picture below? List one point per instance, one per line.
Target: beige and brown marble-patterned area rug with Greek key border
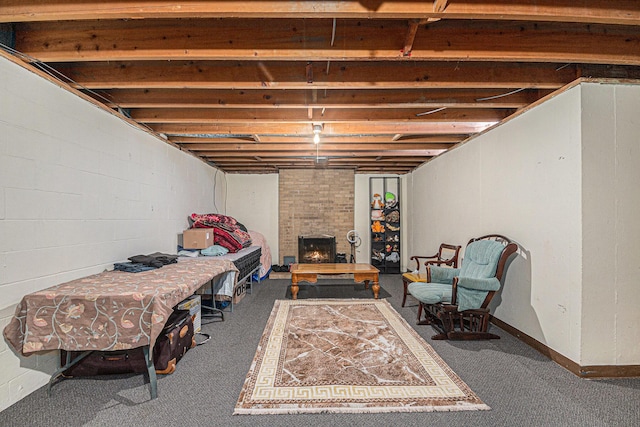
(347, 355)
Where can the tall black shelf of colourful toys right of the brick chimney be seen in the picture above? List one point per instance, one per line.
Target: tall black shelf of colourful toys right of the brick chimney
(385, 223)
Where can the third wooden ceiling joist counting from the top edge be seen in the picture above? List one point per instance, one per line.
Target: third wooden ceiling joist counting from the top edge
(291, 75)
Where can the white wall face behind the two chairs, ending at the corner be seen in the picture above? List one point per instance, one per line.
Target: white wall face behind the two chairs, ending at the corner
(522, 180)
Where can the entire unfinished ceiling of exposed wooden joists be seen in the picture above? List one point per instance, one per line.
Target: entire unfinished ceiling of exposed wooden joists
(386, 84)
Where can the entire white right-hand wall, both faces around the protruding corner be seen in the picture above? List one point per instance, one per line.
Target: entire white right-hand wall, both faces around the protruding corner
(527, 179)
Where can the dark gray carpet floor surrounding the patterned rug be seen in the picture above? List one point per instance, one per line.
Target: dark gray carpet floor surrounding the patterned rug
(522, 387)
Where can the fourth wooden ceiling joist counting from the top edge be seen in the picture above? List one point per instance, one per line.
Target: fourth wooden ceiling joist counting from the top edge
(363, 98)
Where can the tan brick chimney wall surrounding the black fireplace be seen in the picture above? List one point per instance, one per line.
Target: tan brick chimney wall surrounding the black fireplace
(312, 202)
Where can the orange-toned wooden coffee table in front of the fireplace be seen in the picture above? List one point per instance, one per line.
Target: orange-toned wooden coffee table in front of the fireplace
(309, 273)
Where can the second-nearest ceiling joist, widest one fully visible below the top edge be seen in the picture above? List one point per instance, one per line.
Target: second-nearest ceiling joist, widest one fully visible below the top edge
(299, 40)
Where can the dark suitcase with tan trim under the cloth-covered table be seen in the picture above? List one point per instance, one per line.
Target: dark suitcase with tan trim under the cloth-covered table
(176, 339)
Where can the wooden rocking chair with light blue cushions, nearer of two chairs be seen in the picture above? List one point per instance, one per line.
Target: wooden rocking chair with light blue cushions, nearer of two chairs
(455, 300)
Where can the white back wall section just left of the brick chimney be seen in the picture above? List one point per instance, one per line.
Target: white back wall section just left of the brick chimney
(253, 200)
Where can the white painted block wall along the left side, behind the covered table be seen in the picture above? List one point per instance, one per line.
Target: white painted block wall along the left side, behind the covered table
(80, 189)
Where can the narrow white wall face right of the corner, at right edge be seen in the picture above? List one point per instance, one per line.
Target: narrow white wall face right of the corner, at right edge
(611, 226)
